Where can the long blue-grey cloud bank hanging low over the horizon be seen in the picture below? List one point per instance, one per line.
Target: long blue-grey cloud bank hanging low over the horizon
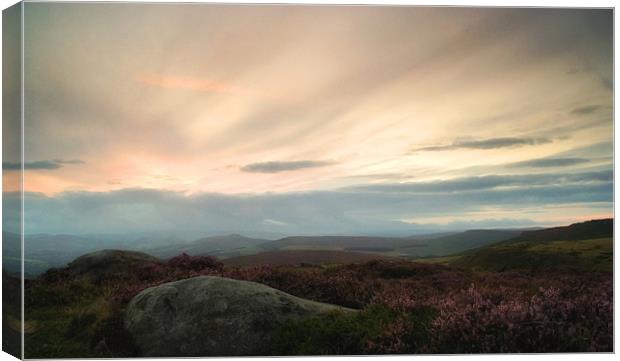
(364, 210)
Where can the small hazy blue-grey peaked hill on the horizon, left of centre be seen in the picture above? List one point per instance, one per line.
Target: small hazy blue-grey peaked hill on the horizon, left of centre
(221, 246)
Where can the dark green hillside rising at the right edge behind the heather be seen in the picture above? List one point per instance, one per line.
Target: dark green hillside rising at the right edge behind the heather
(586, 246)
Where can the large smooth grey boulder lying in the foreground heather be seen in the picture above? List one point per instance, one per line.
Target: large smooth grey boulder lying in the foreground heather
(212, 316)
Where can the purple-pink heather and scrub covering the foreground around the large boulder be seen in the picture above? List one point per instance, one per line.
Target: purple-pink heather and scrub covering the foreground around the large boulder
(405, 307)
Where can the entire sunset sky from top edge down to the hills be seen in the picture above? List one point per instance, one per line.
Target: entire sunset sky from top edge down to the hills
(314, 119)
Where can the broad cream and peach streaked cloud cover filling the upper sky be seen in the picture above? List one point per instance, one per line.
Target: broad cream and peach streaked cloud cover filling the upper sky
(174, 104)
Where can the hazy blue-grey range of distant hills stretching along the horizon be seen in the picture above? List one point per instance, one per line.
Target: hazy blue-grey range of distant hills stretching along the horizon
(44, 251)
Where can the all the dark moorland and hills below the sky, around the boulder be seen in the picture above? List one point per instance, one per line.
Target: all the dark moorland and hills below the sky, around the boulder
(479, 291)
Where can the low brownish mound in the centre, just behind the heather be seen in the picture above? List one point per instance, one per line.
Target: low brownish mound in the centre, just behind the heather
(279, 258)
